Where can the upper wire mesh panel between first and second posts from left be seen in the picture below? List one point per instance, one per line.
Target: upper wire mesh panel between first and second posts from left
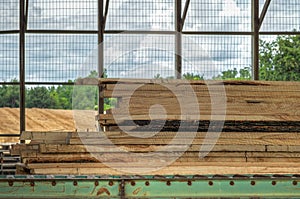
(63, 14)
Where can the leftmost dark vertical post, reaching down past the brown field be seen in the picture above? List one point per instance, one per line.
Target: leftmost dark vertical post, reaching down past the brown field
(22, 65)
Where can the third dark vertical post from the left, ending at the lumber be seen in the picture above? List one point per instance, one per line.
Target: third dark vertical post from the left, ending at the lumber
(178, 39)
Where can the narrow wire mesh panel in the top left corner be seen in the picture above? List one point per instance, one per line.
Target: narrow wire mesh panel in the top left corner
(9, 15)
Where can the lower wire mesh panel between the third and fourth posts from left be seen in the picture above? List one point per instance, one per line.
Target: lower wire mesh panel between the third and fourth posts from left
(210, 55)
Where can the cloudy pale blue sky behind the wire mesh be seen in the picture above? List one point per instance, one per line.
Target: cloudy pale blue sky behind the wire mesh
(63, 57)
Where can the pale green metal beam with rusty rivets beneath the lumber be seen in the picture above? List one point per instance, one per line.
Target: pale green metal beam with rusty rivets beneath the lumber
(254, 186)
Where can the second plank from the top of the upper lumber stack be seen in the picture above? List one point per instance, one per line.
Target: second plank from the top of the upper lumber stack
(262, 93)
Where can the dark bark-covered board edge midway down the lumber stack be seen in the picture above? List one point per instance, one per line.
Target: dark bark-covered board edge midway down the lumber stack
(203, 126)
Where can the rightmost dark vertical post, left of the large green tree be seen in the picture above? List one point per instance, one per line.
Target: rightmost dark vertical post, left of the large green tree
(255, 39)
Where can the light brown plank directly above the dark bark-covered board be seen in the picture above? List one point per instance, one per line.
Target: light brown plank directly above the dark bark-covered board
(284, 112)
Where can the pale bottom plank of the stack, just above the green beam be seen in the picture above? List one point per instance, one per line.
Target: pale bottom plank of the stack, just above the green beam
(173, 170)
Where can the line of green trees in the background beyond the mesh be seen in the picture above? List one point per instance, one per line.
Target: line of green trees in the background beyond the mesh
(279, 61)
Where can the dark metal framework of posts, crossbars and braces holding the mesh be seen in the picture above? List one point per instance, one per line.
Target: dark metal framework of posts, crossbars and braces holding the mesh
(257, 20)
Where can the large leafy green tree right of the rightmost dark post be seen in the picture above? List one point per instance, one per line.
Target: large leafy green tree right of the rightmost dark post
(279, 59)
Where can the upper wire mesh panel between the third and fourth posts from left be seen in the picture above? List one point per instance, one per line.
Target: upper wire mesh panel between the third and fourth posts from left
(219, 15)
